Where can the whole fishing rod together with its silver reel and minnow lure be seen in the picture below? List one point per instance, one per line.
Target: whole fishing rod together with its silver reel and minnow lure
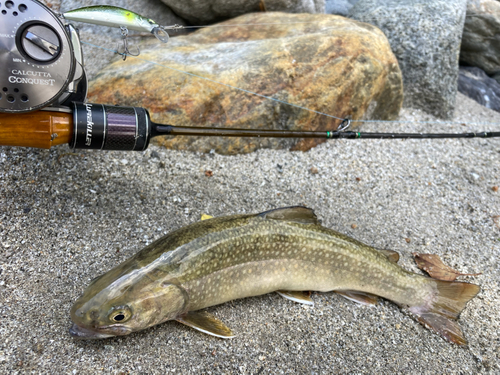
(44, 88)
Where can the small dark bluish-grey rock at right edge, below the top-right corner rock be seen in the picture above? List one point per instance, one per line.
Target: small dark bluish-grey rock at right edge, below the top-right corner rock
(475, 83)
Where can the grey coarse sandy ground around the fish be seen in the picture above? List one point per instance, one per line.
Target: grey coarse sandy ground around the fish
(66, 218)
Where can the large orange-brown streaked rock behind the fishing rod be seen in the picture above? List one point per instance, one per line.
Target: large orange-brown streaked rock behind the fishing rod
(326, 63)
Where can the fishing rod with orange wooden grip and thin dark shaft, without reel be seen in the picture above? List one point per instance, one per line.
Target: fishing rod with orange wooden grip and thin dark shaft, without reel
(105, 127)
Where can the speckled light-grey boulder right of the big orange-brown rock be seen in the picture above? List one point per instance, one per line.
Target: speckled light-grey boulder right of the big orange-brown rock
(425, 37)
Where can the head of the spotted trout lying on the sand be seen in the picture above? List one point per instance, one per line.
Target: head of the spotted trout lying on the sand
(117, 306)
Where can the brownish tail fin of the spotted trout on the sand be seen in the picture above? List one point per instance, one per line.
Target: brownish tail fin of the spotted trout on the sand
(442, 314)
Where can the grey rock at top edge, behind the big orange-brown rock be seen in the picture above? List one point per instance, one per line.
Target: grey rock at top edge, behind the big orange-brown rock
(201, 12)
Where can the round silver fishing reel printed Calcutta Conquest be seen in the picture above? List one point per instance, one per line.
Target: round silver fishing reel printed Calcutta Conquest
(41, 58)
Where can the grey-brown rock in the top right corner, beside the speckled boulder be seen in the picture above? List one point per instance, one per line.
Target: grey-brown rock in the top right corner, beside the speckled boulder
(481, 39)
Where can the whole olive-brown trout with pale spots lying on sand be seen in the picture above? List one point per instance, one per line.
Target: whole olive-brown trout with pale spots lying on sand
(230, 257)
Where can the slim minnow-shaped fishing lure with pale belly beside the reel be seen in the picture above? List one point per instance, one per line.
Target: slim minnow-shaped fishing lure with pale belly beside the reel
(107, 15)
